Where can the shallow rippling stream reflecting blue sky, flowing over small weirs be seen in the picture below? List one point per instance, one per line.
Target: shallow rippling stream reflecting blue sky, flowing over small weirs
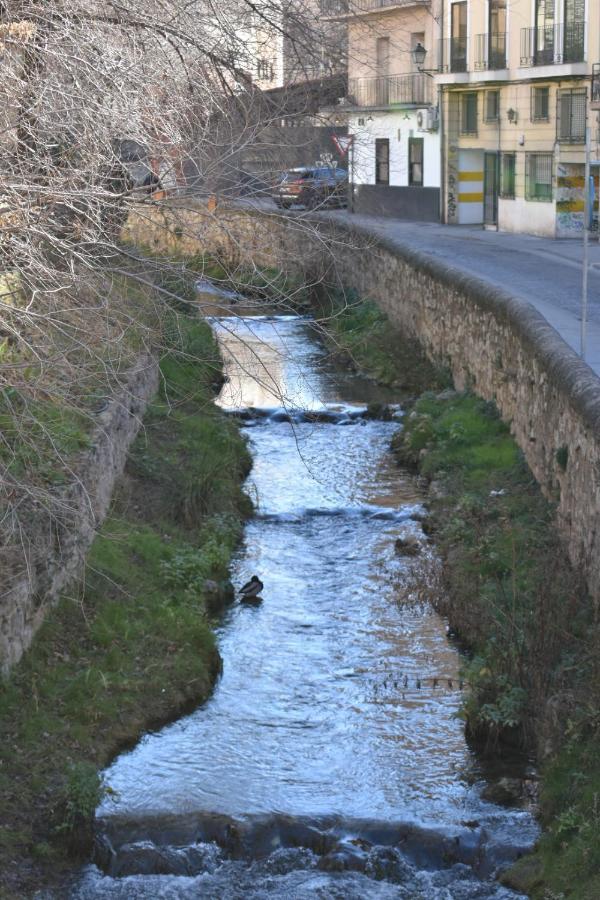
(328, 762)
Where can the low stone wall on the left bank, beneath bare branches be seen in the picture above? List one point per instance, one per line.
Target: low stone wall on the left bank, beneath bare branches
(54, 544)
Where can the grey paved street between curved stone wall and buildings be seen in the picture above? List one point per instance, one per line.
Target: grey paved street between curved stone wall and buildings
(546, 273)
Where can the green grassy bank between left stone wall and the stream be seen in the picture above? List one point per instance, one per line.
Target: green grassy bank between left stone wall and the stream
(134, 645)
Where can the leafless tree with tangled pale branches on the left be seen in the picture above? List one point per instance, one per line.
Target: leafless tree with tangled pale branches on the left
(103, 103)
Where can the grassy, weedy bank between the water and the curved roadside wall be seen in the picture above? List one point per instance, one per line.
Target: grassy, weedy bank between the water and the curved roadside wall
(512, 598)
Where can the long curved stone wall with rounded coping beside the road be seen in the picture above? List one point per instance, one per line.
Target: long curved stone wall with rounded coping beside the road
(499, 346)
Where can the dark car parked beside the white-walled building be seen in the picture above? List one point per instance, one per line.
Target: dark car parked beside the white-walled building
(312, 186)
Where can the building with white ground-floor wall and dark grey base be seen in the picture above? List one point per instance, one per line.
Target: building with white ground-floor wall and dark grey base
(391, 106)
